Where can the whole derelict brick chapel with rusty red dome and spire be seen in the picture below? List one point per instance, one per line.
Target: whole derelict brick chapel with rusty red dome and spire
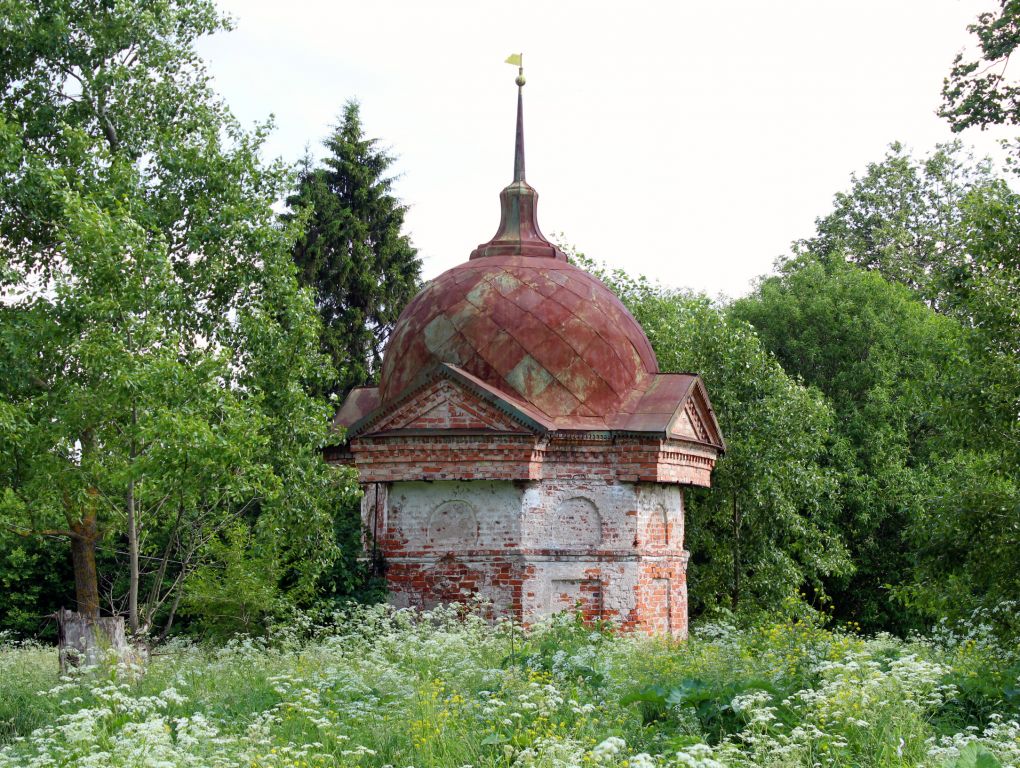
(523, 444)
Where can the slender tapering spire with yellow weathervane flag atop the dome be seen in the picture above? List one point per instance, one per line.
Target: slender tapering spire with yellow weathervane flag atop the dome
(519, 234)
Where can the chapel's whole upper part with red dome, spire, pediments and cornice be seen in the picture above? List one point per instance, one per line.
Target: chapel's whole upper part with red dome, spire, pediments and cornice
(520, 332)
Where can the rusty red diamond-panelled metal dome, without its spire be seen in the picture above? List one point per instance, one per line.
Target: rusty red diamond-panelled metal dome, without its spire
(538, 329)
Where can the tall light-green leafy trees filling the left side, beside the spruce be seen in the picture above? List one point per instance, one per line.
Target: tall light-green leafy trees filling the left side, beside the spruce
(156, 348)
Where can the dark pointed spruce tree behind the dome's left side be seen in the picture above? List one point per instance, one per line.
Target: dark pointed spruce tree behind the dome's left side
(352, 252)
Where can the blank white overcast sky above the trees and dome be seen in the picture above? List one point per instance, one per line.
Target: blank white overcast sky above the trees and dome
(689, 142)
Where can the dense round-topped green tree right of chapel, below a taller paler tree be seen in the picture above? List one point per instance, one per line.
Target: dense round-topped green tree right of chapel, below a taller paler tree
(887, 364)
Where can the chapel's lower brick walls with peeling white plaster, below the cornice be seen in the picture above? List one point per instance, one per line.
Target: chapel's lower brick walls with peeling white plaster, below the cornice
(614, 551)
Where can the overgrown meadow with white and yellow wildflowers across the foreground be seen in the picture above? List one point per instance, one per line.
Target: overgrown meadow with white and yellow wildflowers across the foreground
(377, 688)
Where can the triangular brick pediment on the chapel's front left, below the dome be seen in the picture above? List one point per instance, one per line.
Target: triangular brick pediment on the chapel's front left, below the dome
(446, 404)
